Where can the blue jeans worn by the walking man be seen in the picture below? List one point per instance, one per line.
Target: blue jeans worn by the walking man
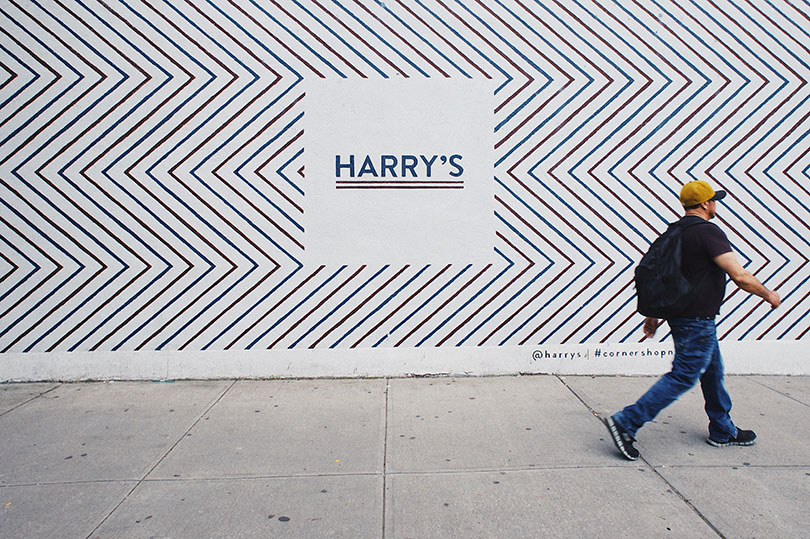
(697, 357)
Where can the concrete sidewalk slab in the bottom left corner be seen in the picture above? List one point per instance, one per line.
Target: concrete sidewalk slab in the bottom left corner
(58, 510)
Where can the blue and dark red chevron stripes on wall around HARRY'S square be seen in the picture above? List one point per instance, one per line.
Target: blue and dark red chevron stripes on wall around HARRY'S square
(153, 180)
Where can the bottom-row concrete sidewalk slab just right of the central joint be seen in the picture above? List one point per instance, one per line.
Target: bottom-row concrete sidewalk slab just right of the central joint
(539, 503)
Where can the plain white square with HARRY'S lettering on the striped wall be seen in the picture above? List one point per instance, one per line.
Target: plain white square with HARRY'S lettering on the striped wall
(399, 171)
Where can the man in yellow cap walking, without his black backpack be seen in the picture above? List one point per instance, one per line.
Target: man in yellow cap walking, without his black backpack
(706, 260)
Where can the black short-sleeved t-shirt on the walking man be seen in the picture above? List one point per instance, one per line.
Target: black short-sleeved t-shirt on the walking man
(701, 243)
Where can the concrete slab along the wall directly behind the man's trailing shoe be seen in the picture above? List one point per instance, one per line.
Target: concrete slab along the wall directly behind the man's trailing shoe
(510, 422)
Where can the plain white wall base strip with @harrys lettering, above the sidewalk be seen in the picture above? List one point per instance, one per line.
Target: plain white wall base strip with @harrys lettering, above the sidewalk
(776, 357)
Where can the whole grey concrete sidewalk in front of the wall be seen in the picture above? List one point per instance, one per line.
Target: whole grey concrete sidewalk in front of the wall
(418, 457)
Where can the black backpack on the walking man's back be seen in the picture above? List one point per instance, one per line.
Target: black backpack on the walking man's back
(661, 288)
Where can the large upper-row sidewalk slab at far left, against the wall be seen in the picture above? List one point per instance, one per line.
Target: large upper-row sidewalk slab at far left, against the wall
(99, 431)
